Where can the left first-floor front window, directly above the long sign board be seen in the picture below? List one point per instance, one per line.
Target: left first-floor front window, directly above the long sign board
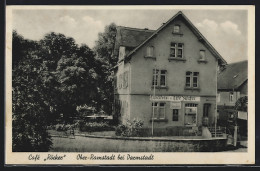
(159, 78)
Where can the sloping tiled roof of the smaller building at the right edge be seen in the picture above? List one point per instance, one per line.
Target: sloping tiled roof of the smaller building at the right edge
(233, 76)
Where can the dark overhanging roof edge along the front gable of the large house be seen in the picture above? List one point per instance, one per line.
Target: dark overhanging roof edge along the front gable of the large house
(192, 27)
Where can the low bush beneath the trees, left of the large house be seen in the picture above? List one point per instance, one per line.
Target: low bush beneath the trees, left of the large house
(94, 126)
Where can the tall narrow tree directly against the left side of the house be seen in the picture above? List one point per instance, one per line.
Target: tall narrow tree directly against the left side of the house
(104, 54)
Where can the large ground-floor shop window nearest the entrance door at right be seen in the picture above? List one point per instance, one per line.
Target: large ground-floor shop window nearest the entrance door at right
(190, 118)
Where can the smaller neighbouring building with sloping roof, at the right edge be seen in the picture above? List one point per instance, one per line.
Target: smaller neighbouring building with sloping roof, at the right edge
(232, 84)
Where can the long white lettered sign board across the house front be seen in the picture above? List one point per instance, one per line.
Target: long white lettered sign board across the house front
(175, 98)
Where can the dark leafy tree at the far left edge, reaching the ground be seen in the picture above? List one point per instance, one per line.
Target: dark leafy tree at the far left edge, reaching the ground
(29, 101)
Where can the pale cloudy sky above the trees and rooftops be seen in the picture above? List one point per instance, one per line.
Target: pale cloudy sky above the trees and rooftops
(226, 30)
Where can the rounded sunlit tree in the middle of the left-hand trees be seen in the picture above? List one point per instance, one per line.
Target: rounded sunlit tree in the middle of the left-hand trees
(77, 81)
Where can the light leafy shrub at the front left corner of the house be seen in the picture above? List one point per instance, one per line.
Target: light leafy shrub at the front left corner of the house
(131, 128)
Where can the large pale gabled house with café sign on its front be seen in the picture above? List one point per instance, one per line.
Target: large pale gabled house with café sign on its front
(168, 75)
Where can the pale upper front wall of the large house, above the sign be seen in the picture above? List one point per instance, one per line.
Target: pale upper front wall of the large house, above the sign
(142, 69)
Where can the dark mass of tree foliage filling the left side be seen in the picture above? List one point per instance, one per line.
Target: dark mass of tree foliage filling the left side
(52, 77)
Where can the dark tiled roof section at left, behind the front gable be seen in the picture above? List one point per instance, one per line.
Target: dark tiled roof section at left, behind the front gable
(130, 37)
